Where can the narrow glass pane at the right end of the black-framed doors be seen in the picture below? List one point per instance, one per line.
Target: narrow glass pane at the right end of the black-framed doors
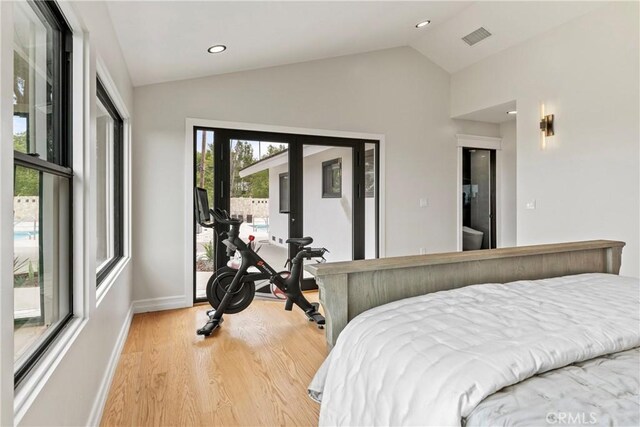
(370, 201)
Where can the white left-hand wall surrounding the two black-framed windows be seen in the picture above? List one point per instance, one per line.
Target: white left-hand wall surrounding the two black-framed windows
(71, 390)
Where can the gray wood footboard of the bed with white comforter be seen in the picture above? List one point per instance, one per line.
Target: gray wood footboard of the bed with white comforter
(349, 288)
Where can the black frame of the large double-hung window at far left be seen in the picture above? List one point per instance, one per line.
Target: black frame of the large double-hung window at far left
(59, 160)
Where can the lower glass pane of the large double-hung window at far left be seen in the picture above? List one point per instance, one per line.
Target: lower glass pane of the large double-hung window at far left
(41, 250)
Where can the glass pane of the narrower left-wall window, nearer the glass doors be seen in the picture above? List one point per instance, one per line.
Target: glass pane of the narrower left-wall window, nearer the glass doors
(105, 233)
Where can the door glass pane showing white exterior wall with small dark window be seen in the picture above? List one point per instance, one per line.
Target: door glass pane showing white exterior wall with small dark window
(328, 199)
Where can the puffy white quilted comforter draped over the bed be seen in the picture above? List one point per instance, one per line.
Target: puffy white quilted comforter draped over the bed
(430, 360)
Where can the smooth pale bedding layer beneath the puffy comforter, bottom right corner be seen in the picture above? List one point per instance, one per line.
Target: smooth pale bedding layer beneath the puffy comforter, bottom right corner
(599, 392)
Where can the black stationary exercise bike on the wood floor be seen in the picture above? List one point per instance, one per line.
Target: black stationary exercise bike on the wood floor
(231, 290)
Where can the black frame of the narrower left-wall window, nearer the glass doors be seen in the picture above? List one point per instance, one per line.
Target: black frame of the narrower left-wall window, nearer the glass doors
(118, 184)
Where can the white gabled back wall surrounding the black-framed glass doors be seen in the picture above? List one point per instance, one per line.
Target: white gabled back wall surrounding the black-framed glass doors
(395, 92)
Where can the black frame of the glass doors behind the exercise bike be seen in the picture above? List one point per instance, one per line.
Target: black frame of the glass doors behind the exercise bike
(222, 153)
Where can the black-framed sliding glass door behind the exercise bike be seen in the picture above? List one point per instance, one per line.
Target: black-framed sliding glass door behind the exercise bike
(282, 186)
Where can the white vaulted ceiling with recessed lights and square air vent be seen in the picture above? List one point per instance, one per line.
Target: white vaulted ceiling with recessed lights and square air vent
(168, 40)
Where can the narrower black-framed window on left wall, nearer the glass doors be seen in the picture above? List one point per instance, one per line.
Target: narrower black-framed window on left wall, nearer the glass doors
(109, 184)
